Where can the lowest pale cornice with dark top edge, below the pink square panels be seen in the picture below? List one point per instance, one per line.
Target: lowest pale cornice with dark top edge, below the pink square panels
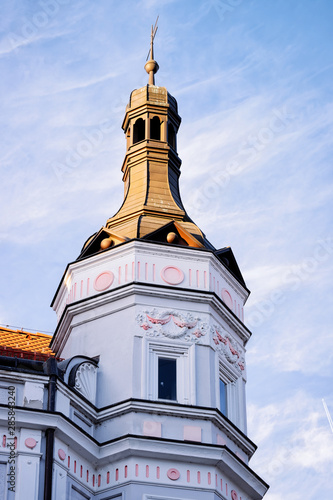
(124, 446)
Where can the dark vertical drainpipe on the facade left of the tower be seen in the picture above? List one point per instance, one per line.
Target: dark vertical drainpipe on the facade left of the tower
(51, 369)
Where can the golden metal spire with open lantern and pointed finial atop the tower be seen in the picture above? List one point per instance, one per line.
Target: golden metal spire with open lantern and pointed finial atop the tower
(151, 170)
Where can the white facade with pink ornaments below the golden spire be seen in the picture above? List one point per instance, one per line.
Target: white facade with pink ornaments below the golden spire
(120, 438)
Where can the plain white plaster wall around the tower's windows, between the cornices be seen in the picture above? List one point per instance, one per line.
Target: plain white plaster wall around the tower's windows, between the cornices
(113, 332)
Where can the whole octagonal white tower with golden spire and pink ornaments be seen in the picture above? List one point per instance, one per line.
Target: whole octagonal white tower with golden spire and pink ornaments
(146, 398)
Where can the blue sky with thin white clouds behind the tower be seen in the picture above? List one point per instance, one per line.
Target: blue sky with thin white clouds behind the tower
(253, 80)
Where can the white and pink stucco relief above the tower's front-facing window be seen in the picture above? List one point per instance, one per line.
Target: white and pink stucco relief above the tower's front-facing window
(172, 324)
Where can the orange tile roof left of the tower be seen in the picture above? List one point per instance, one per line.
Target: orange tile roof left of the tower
(24, 344)
